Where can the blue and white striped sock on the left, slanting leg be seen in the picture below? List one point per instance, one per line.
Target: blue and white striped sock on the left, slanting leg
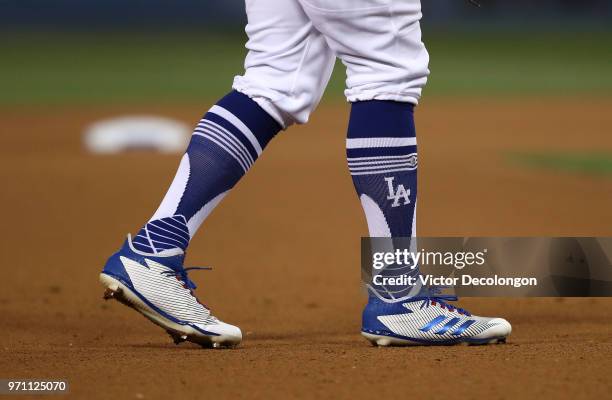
(224, 145)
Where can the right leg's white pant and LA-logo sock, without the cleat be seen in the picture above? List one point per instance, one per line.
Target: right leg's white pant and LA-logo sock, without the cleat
(379, 41)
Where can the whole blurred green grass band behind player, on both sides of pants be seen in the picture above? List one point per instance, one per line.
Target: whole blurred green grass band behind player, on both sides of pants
(67, 69)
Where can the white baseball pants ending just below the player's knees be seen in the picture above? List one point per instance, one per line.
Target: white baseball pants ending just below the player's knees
(293, 45)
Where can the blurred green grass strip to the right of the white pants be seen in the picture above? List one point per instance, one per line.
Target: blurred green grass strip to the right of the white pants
(522, 64)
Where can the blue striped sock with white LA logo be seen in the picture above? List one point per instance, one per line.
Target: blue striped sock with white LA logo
(382, 157)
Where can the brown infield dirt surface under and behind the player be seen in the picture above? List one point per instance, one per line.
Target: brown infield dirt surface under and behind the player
(285, 247)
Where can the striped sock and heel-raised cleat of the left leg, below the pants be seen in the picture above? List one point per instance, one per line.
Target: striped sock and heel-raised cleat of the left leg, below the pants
(147, 273)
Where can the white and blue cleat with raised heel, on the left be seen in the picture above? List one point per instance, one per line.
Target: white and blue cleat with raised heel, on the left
(157, 286)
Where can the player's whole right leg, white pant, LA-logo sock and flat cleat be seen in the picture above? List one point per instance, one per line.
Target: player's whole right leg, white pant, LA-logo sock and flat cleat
(379, 41)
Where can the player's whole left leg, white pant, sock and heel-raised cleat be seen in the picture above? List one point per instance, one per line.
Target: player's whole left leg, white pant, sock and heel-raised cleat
(287, 69)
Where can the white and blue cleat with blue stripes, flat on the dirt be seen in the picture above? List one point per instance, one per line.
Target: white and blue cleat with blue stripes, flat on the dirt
(428, 320)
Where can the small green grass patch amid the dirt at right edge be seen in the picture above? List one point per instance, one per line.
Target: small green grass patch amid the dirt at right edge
(596, 164)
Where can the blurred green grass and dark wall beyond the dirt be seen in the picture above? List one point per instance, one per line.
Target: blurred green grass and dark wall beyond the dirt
(66, 51)
